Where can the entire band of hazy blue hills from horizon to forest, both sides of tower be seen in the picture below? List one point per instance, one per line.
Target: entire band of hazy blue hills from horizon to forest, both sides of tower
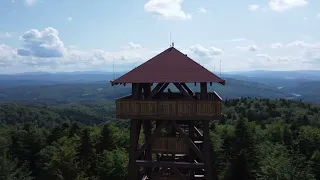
(82, 87)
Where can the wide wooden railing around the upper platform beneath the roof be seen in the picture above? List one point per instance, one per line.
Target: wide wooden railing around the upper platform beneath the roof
(168, 109)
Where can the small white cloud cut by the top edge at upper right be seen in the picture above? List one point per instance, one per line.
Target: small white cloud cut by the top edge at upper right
(283, 5)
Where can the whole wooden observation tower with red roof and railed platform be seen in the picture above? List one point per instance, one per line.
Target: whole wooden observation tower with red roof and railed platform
(175, 124)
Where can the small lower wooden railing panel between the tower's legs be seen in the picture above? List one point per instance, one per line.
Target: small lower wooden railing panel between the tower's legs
(170, 145)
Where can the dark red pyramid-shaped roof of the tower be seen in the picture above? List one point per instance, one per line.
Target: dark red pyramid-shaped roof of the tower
(170, 66)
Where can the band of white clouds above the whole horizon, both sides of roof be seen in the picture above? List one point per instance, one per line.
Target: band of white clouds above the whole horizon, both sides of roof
(45, 51)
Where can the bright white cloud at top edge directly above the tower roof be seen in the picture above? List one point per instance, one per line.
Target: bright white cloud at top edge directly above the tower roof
(167, 9)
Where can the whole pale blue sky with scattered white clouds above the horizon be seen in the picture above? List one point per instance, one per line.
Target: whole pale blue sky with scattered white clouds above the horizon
(70, 35)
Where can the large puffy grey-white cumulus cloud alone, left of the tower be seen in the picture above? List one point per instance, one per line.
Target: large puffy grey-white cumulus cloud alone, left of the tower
(43, 44)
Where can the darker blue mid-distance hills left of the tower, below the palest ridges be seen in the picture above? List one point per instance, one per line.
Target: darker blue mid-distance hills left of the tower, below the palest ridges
(62, 93)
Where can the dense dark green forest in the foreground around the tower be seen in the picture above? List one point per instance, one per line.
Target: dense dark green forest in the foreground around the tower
(256, 139)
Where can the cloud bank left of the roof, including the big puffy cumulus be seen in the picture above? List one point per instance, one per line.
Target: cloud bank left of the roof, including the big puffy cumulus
(46, 51)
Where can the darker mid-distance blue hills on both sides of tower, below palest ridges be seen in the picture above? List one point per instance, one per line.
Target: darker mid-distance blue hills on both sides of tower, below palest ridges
(96, 91)
